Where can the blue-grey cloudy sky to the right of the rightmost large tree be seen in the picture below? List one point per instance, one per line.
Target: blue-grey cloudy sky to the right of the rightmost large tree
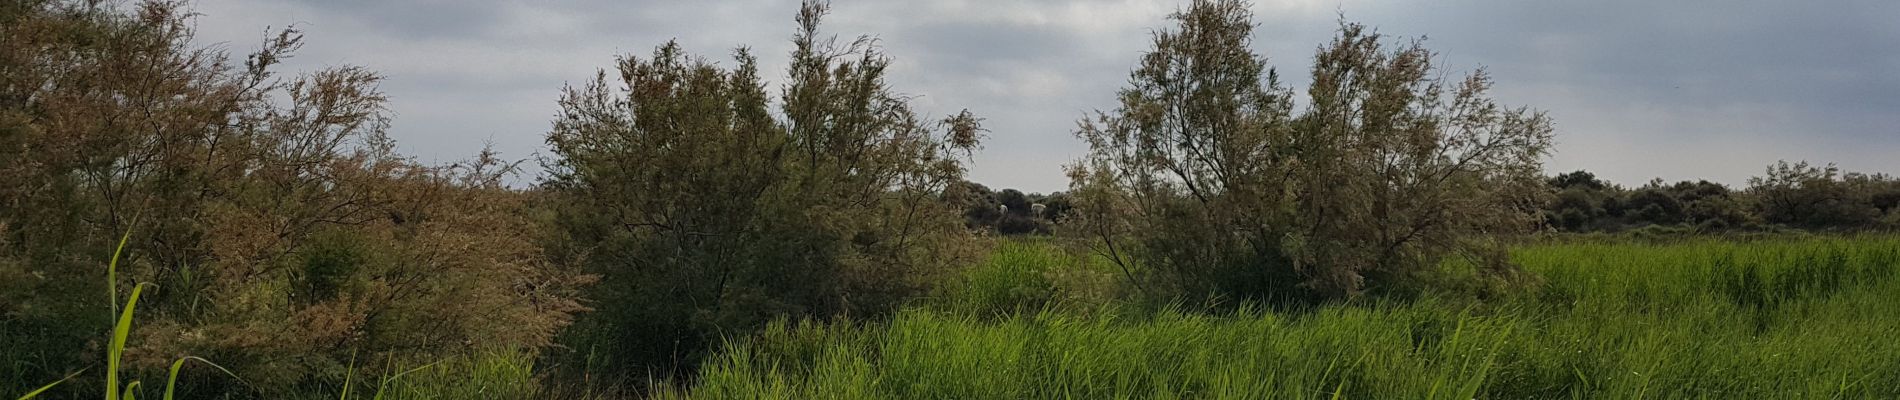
(1681, 90)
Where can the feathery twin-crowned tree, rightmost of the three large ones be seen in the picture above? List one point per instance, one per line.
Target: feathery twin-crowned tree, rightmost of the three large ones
(1209, 181)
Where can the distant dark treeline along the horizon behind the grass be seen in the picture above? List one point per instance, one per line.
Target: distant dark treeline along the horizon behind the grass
(1791, 196)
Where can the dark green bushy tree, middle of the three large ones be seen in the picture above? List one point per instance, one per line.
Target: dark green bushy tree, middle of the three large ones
(708, 213)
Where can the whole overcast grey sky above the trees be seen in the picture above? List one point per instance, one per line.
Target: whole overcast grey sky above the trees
(1639, 90)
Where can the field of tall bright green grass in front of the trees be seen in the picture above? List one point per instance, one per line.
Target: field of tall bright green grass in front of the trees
(1793, 318)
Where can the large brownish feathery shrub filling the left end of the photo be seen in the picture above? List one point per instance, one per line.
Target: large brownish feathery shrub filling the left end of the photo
(278, 223)
